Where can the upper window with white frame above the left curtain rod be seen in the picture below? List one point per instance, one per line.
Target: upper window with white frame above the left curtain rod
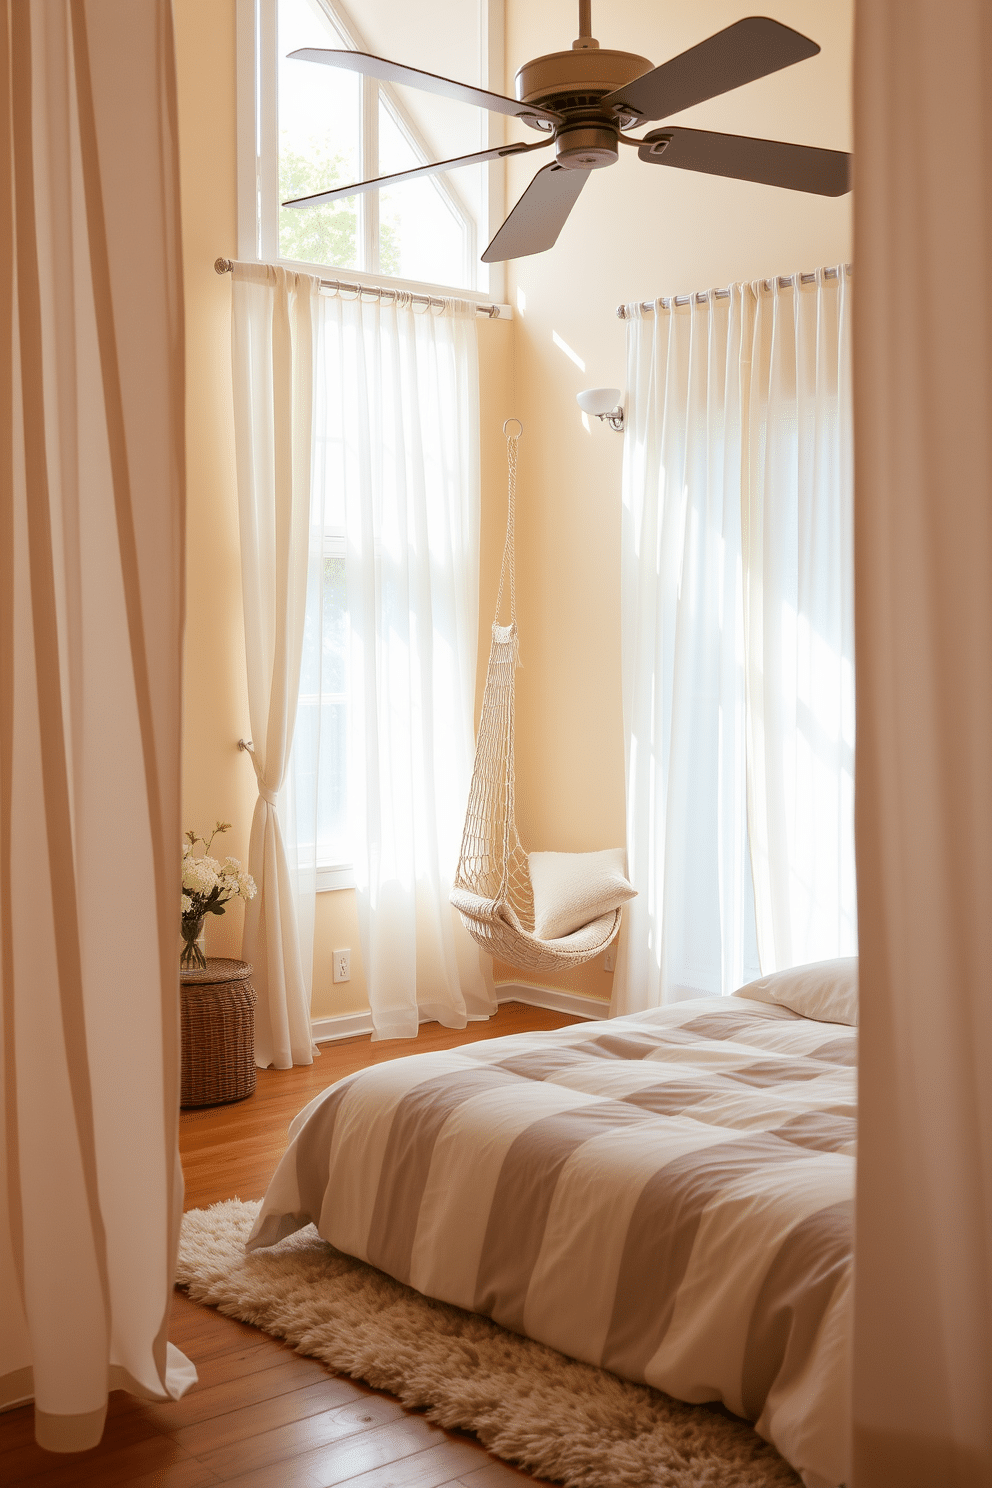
(309, 127)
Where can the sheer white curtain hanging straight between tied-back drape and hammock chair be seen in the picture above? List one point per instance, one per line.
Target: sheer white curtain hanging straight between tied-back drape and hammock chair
(398, 469)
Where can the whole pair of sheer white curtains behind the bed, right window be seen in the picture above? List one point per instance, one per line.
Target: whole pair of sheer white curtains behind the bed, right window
(738, 666)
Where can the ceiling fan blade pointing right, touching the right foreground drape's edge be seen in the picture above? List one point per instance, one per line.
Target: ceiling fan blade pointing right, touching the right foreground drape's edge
(796, 167)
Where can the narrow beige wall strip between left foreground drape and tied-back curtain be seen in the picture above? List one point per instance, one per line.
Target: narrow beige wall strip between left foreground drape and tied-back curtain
(218, 780)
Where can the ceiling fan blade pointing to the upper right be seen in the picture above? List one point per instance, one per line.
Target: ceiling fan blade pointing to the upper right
(737, 56)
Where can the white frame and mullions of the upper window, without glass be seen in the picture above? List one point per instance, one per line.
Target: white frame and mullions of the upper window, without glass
(258, 151)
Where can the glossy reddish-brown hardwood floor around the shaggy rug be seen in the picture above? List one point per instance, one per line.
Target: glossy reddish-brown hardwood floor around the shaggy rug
(263, 1416)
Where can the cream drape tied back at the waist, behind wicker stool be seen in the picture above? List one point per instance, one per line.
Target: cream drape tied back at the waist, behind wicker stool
(273, 347)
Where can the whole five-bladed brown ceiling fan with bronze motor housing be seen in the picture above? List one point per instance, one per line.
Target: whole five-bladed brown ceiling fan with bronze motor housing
(585, 99)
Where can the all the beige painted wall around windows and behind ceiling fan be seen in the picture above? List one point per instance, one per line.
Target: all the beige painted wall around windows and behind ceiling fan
(637, 233)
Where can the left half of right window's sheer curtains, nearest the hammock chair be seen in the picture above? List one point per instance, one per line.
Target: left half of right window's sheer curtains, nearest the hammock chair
(683, 670)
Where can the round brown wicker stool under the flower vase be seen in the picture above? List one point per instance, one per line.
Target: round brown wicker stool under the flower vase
(218, 1019)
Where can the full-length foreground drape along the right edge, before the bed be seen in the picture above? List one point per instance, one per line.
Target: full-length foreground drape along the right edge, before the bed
(923, 1368)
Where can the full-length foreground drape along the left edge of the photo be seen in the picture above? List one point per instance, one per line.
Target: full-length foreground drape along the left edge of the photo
(91, 624)
